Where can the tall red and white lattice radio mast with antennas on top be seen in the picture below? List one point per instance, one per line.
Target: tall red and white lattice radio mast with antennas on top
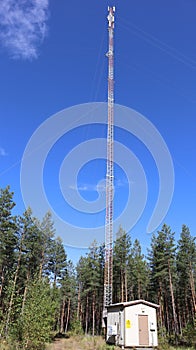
(108, 273)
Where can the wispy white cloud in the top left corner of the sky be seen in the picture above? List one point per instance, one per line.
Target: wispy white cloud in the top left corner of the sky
(23, 26)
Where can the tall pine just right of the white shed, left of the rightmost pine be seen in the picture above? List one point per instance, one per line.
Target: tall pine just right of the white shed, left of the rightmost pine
(163, 276)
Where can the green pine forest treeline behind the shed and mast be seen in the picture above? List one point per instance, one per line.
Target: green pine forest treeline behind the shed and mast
(43, 293)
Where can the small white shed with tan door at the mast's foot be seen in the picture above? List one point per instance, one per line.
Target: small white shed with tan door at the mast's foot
(132, 324)
